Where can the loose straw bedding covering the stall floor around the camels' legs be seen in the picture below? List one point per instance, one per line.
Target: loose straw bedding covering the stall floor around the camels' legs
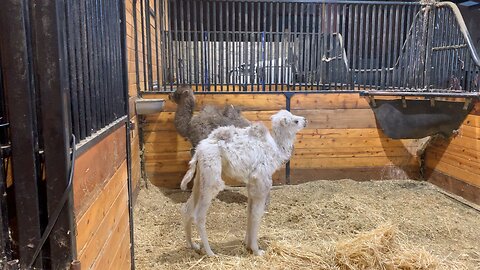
(318, 225)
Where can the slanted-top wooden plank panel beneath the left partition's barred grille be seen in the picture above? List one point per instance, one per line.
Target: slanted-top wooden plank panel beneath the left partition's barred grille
(101, 204)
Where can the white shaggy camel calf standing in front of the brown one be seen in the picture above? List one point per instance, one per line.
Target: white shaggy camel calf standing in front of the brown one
(250, 155)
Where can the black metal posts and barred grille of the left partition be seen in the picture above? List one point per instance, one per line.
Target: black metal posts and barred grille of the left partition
(62, 76)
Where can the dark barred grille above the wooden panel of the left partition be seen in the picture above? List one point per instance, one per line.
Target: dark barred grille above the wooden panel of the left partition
(95, 64)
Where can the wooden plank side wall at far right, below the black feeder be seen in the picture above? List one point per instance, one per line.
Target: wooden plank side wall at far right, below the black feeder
(454, 164)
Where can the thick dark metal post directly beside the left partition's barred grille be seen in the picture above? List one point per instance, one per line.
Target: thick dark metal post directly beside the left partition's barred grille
(54, 94)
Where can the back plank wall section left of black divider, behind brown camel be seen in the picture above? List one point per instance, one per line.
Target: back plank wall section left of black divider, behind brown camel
(167, 154)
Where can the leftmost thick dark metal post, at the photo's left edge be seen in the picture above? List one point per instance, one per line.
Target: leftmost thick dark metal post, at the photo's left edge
(15, 52)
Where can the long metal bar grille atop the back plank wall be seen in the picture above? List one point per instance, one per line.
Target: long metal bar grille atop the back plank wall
(306, 45)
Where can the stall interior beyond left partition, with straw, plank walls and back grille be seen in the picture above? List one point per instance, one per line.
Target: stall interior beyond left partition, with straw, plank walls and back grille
(376, 80)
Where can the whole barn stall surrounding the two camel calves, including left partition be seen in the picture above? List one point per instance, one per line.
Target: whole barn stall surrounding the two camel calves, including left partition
(94, 69)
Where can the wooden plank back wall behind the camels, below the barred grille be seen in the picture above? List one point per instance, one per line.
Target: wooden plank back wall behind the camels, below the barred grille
(341, 141)
